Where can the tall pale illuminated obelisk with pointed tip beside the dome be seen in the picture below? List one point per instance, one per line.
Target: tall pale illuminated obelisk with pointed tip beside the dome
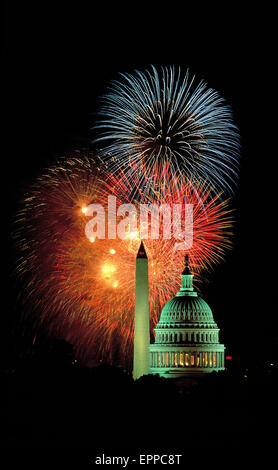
(142, 316)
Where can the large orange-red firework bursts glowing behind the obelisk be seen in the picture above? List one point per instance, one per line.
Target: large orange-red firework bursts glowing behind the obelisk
(83, 288)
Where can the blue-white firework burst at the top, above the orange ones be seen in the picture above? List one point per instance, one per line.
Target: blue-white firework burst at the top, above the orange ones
(164, 116)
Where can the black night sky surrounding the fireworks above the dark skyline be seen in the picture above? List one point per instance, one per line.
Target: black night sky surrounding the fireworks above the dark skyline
(56, 63)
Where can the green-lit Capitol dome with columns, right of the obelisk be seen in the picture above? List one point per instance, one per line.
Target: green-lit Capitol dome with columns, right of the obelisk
(186, 336)
